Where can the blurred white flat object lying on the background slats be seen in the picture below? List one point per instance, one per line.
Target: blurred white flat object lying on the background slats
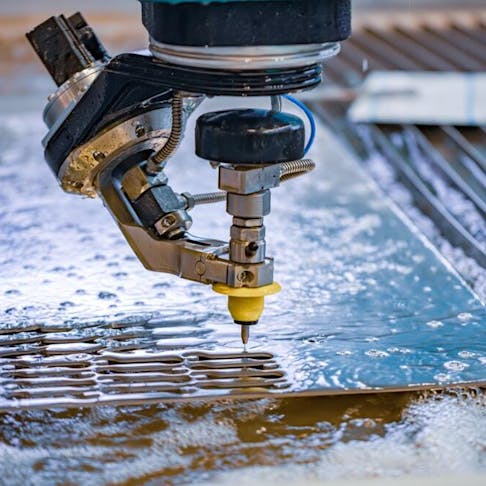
(421, 98)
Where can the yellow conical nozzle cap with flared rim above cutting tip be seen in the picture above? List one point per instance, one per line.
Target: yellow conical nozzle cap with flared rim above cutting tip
(246, 304)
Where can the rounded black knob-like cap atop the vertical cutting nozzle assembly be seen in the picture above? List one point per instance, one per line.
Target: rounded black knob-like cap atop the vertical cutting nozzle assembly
(250, 137)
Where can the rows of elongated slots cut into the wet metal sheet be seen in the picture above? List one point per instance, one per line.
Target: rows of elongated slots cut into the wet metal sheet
(116, 364)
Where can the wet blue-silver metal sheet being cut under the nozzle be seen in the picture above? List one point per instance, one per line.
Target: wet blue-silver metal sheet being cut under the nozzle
(367, 304)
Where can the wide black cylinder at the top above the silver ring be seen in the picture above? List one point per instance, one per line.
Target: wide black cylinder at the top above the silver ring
(251, 23)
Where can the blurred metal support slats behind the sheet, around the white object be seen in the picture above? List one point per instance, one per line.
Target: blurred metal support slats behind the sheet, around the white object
(455, 157)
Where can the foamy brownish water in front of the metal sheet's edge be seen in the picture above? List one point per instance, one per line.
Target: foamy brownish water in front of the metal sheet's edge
(228, 442)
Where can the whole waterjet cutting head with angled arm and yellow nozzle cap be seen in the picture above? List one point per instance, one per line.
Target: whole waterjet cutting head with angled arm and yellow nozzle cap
(115, 122)
